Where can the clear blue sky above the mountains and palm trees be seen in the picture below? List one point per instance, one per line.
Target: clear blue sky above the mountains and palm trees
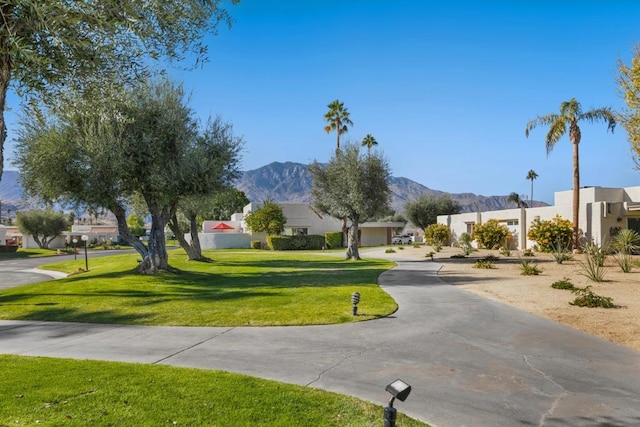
(446, 88)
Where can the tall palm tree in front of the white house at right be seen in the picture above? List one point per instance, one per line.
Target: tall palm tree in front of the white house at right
(570, 115)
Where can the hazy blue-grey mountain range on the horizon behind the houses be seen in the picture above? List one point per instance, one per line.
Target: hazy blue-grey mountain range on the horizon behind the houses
(290, 182)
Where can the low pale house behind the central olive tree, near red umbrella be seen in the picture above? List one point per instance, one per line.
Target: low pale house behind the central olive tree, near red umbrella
(302, 219)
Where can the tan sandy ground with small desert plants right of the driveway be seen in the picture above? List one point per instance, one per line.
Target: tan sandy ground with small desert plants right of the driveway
(535, 294)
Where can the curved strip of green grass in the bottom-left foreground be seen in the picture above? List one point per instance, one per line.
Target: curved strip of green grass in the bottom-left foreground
(81, 393)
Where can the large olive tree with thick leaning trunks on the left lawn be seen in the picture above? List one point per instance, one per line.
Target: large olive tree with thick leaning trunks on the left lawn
(143, 143)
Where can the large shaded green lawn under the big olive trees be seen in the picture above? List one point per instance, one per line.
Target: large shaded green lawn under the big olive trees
(237, 288)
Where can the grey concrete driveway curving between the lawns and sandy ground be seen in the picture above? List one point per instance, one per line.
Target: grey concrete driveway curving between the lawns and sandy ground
(470, 361)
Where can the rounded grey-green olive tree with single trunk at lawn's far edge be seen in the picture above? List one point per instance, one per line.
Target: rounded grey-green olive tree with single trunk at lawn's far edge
(352, 186)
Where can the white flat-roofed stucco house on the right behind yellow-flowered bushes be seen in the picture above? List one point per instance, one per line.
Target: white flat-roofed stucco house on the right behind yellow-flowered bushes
(601, 211)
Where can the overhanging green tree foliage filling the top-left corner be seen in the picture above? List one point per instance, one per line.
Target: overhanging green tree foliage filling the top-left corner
(51, 45)
